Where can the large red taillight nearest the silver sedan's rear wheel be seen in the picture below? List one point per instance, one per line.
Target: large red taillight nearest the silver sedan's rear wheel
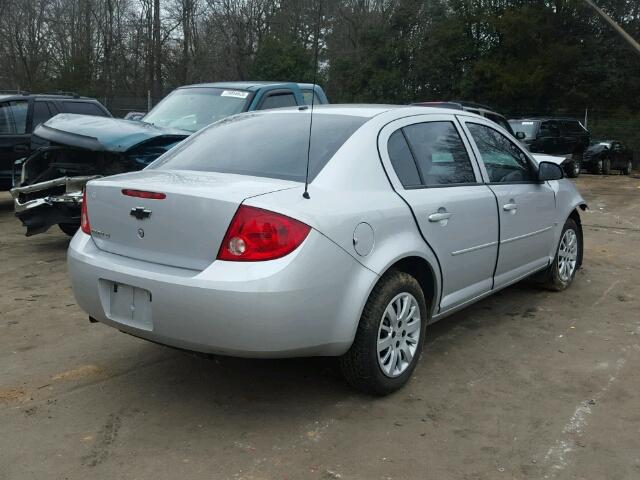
(256, 235)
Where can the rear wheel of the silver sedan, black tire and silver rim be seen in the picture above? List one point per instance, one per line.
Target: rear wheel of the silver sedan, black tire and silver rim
(389, 338)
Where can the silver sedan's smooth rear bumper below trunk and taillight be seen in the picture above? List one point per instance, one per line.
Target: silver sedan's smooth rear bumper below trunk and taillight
(307, 303)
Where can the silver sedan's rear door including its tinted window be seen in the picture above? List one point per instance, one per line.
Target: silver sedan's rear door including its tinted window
(430, 167)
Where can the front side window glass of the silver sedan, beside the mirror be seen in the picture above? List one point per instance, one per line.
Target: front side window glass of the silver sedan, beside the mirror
(504, 161)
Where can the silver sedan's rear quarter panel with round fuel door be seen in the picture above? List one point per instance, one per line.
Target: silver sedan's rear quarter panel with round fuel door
(351, 189)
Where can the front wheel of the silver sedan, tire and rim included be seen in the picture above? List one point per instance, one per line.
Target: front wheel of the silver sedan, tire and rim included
(562, 271)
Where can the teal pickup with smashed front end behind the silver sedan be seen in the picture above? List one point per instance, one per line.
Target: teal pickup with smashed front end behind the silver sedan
(70, 150)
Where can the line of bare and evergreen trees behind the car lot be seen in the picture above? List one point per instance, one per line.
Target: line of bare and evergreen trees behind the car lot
(519, 56)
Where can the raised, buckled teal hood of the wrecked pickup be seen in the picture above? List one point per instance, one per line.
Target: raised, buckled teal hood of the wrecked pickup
(103, 133)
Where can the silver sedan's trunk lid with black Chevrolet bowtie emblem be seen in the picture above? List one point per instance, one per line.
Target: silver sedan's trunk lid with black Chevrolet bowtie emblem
(183, 229)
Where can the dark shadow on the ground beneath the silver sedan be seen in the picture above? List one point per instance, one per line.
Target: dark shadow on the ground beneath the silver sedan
(232, 383)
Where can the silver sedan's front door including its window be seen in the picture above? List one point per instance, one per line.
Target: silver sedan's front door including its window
(526, 206)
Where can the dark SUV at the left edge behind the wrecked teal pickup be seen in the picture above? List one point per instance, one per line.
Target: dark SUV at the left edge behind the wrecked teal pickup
(21, 112)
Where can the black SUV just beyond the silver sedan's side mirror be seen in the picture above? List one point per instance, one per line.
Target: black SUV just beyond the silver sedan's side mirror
(555, 136)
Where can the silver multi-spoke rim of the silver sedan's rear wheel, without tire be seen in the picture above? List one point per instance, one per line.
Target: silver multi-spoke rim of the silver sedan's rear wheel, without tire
(398, 334)
